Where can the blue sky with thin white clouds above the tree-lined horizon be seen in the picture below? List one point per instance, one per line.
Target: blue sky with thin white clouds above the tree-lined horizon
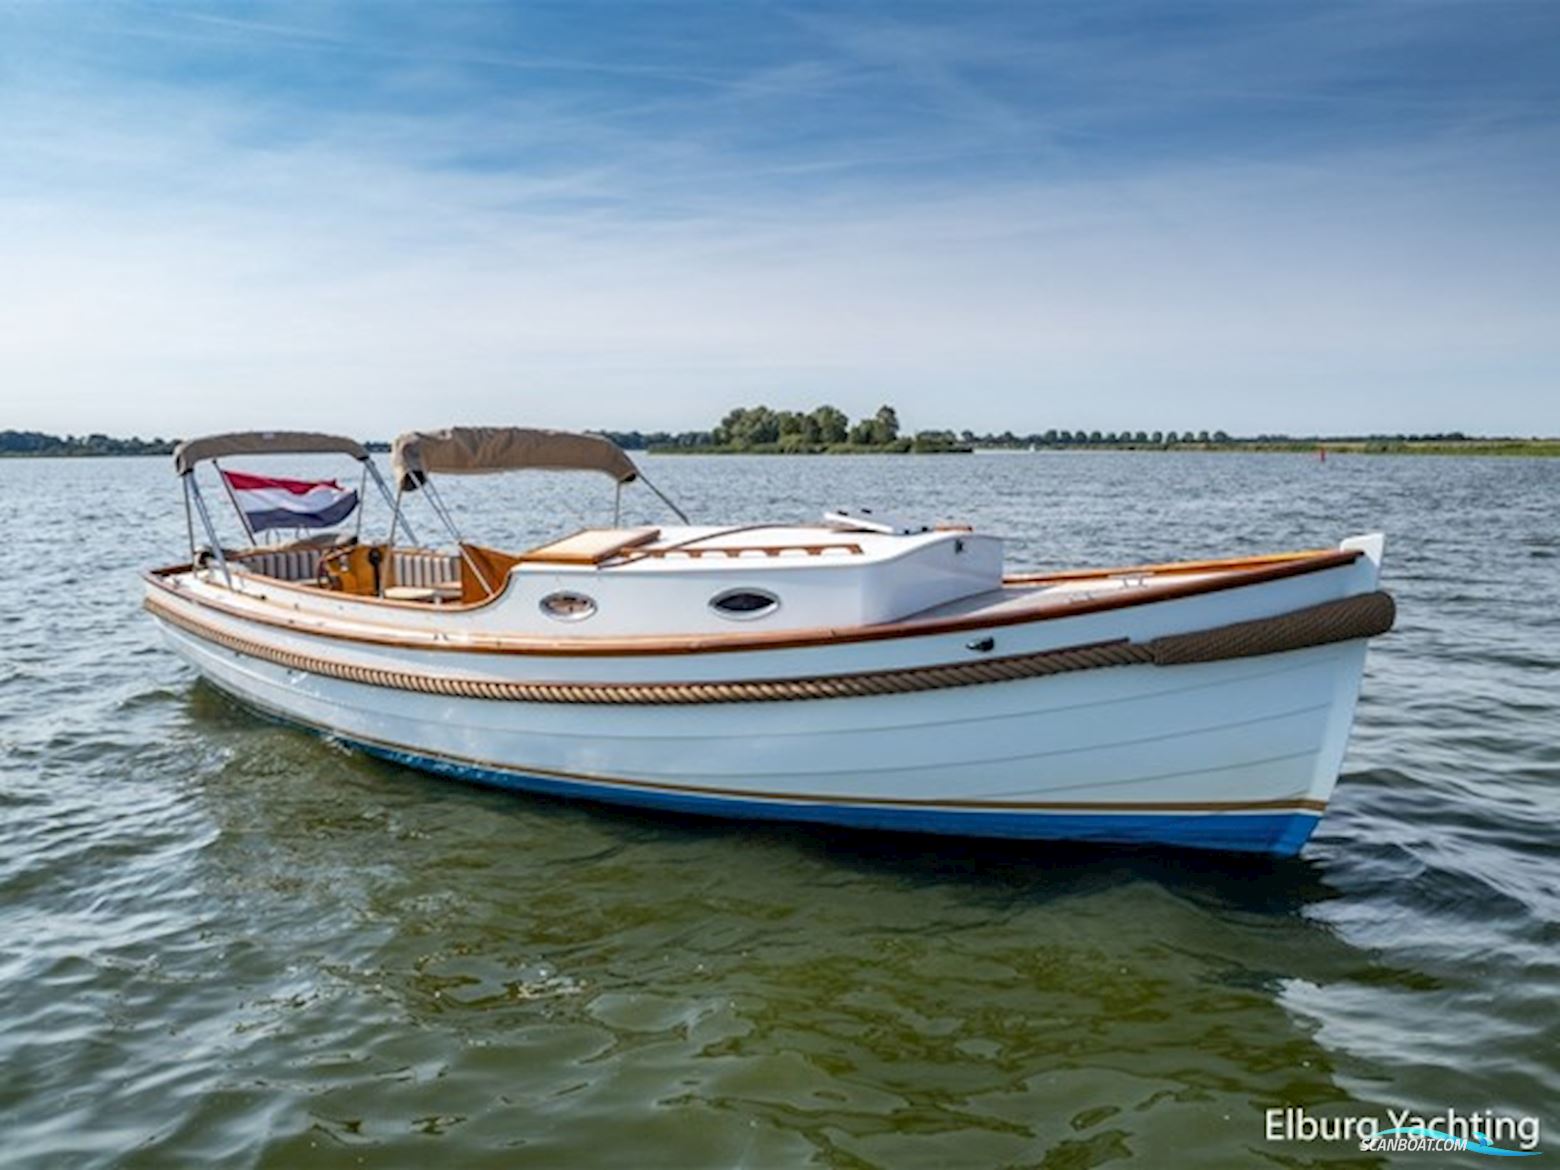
(1111, 214)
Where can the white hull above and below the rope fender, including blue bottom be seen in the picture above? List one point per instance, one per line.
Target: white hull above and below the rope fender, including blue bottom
(1236, 754)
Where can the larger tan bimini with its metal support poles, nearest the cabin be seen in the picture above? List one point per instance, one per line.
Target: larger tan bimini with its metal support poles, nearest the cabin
(486, 450)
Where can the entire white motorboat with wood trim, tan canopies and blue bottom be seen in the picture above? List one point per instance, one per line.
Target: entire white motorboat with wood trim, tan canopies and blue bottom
(860, 672)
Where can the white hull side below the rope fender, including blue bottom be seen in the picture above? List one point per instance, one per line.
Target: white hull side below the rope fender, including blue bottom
(1233, 756)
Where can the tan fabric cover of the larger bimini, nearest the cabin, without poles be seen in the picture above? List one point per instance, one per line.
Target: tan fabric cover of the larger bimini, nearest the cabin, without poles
(478, 450)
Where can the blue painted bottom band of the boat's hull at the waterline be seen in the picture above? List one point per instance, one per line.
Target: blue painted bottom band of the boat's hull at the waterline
(1275, 834)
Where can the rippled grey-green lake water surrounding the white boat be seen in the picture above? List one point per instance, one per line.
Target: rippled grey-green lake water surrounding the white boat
(222, 941)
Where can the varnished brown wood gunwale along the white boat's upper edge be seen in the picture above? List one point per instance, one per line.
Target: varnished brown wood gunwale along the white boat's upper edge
(1264, 570)
